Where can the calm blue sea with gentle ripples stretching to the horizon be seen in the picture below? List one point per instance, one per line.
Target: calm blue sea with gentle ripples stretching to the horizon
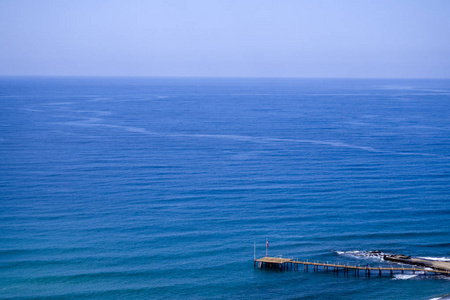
(168, 188)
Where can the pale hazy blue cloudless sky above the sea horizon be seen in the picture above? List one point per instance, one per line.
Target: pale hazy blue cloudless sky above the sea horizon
(226, 38)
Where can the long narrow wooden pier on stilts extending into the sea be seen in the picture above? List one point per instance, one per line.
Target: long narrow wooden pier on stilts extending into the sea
(278, 263)
